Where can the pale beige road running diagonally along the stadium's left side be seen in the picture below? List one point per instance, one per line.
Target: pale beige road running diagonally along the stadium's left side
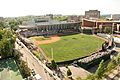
(33, 63)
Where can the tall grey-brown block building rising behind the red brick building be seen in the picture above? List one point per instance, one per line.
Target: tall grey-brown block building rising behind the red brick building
(92, 14)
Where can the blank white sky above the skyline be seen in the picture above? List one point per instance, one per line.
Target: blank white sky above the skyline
(14, 8)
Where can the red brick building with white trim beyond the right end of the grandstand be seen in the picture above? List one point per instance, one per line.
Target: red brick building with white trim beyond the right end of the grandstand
(97, 25)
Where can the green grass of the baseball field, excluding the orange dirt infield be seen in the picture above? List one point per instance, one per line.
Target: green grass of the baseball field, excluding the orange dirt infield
(72, 47)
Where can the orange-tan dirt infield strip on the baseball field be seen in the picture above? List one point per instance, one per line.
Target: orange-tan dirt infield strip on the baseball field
(52, 39)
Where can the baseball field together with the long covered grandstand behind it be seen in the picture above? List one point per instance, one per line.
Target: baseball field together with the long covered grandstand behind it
(61, 41)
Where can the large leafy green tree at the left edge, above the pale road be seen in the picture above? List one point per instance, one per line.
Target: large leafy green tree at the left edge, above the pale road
(7, 41)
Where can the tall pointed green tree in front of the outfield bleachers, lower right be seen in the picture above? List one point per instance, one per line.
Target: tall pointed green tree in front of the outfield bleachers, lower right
(100, 71)
